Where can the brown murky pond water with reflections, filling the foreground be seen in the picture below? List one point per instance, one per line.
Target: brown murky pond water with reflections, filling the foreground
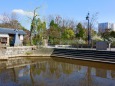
(57, 72)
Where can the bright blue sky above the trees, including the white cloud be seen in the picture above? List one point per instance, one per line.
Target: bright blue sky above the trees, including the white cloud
(73, 9)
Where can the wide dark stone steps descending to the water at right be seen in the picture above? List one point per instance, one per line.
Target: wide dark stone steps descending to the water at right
(91, 55)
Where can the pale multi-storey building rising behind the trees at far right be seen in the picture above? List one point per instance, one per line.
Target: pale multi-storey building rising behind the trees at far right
(102, 27)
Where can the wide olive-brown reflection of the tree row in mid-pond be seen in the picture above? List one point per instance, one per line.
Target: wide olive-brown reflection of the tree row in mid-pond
(50, 68)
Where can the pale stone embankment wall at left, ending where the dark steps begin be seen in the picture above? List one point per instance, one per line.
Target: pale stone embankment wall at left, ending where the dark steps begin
(24, 51)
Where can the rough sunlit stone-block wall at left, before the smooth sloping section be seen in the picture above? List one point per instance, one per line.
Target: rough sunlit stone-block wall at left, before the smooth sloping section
(15, 51)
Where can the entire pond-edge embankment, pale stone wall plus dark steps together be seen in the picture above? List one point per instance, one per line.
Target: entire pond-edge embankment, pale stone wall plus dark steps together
(32, 51)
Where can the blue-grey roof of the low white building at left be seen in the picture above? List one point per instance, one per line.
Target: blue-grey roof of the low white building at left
(11, 31)
